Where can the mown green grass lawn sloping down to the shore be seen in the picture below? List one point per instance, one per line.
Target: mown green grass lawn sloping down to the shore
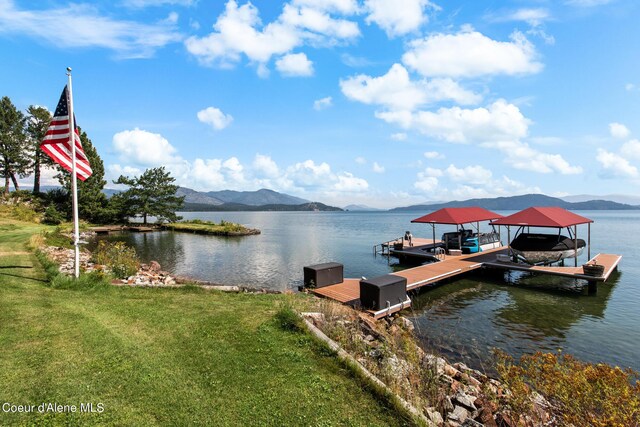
(162, 356)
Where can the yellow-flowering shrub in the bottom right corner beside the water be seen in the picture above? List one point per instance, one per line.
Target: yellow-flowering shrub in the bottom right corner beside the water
(586, 394)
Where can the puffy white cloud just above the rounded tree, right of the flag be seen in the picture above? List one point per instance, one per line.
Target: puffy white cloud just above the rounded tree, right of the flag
(144, 148)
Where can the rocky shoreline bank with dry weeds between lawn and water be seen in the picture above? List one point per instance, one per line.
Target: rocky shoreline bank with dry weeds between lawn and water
(456, 395)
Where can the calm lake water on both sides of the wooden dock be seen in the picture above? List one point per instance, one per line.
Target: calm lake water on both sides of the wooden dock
(463, 319)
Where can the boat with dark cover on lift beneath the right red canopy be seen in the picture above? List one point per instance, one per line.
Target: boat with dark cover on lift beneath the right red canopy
(536, 248)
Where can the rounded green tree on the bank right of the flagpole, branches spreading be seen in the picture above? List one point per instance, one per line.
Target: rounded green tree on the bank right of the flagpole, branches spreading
(152, 194)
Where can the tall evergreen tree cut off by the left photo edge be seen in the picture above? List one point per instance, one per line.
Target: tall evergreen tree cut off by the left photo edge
(13, 150)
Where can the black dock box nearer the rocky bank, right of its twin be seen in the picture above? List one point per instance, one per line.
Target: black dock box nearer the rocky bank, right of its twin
(374, 293)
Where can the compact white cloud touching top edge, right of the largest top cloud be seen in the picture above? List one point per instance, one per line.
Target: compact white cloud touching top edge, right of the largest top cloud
(396, 18)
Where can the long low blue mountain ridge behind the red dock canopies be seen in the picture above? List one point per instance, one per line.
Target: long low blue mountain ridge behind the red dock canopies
(519, 203)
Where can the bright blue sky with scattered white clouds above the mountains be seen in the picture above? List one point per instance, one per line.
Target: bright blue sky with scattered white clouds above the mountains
(379, 102)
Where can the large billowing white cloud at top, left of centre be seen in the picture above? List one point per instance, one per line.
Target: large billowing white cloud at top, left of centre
(239, 31)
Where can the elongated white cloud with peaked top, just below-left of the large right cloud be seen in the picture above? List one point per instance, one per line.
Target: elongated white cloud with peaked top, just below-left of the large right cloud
(396, 91)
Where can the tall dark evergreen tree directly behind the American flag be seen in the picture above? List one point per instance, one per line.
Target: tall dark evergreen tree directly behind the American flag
(92, 202)
